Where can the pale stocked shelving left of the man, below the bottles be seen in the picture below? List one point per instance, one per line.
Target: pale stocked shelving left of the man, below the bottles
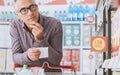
(5, 48)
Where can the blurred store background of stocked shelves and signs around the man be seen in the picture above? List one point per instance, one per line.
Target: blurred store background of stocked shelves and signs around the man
(91, 34)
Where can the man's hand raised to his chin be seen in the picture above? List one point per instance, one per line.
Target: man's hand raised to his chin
(37, 30)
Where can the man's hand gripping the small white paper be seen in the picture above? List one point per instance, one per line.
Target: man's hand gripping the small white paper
(33, 54)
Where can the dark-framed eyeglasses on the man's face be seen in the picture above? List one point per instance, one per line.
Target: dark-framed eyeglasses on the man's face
(32, 8)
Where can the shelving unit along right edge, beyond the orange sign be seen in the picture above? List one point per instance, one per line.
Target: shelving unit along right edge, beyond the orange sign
(110, 29)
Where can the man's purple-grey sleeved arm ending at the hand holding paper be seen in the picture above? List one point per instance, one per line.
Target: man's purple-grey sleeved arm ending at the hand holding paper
(18, 56)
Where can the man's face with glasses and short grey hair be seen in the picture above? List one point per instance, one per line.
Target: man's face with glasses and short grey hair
(27, 11)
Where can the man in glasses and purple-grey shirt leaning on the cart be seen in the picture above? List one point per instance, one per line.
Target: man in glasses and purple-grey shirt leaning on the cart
(32, 30)
